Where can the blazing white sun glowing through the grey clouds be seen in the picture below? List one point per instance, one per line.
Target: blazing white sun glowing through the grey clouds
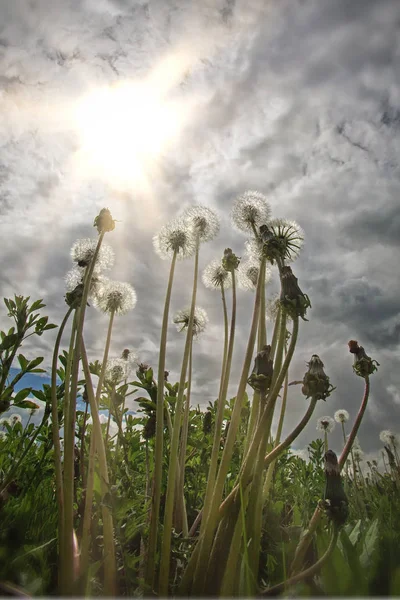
(124, 128)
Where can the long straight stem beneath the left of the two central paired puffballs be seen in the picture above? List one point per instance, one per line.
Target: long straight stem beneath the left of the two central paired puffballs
(158, 451)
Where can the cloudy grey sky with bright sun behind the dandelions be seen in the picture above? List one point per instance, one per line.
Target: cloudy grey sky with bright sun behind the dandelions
(150, 107)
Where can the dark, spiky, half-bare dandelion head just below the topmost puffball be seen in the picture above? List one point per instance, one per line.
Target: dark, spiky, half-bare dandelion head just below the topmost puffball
(284, 236)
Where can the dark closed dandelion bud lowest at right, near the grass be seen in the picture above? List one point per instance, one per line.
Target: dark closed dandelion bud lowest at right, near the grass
(336, 503)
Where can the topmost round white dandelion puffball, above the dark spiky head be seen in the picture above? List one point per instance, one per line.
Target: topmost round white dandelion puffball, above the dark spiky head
(250, 210)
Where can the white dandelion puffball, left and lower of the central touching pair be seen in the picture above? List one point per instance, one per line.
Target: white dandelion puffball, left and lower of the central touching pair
(175, 237)
